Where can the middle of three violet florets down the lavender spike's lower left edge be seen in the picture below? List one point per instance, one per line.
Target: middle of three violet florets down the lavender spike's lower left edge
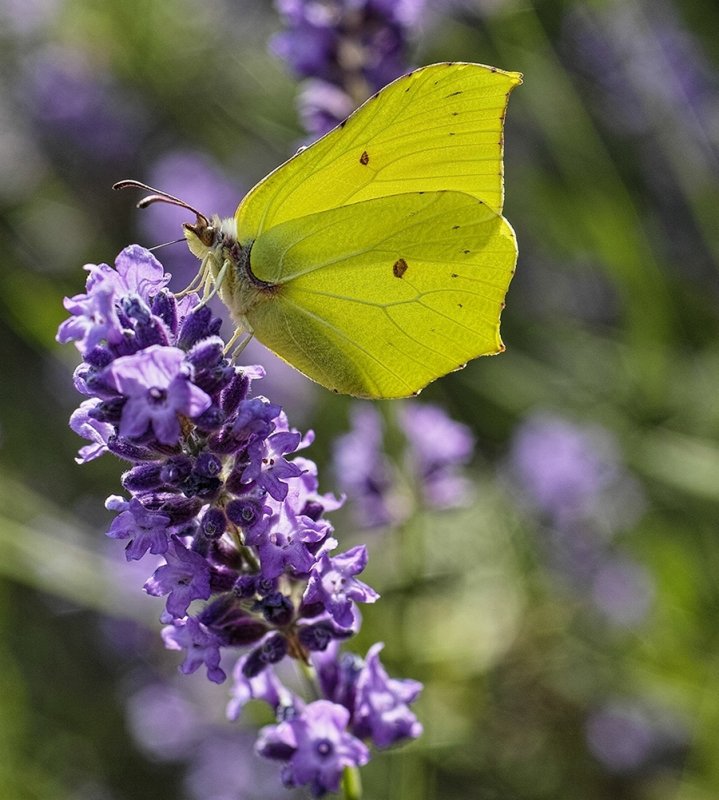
(184, 577)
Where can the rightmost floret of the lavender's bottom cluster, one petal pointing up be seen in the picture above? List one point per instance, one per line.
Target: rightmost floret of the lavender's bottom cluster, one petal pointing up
(381, 704)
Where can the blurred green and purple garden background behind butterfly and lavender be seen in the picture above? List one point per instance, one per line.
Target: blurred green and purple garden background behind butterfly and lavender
(562, 613)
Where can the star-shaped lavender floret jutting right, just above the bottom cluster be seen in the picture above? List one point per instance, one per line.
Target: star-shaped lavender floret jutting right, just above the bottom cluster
(332, 583)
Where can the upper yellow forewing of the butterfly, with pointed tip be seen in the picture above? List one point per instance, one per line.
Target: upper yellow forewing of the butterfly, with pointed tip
(437, 128)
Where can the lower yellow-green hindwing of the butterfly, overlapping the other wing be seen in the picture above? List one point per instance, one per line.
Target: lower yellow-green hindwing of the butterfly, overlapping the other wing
(380, 297)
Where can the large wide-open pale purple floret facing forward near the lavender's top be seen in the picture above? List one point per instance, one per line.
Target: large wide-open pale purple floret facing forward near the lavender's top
(157, 385)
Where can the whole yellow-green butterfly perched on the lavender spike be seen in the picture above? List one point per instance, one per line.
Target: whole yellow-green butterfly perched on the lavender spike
(377, 259)
